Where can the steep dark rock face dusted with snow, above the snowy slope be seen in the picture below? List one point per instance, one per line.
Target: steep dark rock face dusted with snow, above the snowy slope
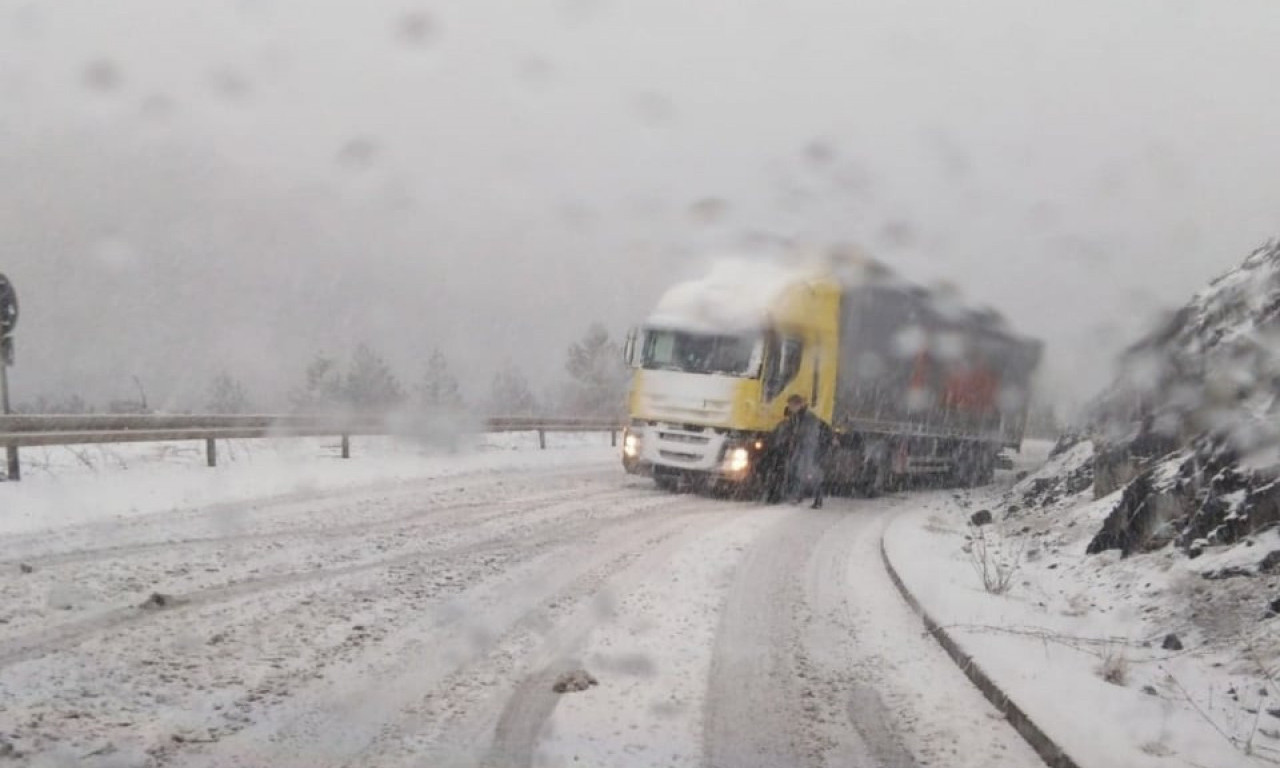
(1192, 427)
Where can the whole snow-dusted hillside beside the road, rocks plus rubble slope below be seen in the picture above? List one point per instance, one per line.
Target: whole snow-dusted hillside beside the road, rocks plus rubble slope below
(1165, 518)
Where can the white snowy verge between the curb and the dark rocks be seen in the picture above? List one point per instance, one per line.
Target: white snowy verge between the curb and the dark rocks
(1078, 643)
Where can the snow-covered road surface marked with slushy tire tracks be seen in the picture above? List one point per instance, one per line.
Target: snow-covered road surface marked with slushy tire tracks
(427, 623)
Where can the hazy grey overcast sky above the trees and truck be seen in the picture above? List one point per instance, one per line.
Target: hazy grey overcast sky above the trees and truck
(200, 186)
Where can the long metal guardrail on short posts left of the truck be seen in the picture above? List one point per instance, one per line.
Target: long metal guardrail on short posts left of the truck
(26, 432)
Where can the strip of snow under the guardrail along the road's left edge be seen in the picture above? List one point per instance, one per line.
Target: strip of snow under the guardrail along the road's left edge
(75, 486)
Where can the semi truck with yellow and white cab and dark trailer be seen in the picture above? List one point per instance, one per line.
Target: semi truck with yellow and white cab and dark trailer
(915, 385)
